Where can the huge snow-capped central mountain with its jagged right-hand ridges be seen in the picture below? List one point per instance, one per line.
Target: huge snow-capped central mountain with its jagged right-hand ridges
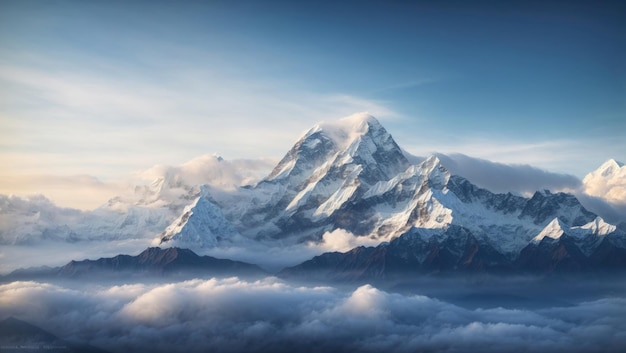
(351, 175)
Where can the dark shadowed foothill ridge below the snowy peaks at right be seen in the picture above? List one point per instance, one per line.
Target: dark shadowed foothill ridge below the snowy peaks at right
(456, 250)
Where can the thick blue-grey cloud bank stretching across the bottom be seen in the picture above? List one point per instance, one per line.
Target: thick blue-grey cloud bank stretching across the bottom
(231, 315)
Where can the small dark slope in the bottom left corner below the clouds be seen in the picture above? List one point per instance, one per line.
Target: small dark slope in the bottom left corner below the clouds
(18, 336)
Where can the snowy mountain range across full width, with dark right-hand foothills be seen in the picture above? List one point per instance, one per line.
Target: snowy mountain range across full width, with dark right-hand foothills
(350, 176)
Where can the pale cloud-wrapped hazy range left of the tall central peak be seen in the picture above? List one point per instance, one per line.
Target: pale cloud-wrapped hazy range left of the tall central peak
(145, 211)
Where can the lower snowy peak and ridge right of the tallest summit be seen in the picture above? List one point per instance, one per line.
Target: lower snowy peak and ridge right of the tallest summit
(426, 196)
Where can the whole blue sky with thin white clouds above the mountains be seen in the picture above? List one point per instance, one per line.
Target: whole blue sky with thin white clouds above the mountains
(106, 88)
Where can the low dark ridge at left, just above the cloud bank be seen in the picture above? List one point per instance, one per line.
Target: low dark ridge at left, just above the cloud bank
(152, 261)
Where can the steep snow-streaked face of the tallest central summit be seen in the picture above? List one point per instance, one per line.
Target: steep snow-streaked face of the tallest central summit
(329, 168)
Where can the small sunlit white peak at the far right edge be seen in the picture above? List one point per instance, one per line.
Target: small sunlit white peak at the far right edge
(607, 182)
